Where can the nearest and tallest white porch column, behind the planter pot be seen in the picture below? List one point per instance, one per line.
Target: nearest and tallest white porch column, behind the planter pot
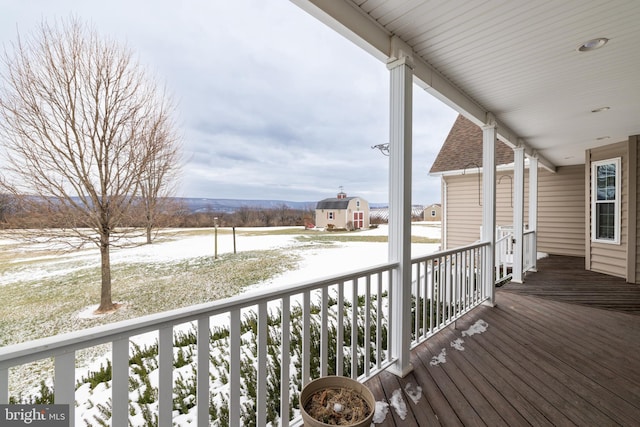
(400, 146)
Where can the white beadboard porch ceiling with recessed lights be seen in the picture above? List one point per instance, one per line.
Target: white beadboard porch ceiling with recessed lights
(515, 59)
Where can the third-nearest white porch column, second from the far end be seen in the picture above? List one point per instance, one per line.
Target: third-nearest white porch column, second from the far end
(518, 214)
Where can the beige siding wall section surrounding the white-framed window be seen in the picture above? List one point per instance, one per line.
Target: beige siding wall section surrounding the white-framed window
(603, 257)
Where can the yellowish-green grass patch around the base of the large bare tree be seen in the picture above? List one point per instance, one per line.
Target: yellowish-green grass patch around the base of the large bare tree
(43, 307)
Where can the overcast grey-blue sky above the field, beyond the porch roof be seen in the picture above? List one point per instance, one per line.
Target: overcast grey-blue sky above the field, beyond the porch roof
(272, 104)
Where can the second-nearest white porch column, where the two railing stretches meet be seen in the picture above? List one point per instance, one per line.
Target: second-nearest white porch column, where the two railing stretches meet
(489, 140)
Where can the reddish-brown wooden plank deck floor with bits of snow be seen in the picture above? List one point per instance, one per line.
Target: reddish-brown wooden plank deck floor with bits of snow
(542, 361)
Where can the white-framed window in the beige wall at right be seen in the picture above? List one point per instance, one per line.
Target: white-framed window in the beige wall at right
(605, 201)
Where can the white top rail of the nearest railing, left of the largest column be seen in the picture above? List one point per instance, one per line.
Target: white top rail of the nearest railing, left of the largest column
(29, 351)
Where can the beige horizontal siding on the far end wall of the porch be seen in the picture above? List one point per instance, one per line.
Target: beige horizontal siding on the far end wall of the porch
(561, 215)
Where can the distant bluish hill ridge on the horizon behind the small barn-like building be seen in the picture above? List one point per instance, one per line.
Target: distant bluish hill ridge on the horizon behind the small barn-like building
(232, 205)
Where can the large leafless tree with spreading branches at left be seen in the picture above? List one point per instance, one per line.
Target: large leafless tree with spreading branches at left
(75, 111)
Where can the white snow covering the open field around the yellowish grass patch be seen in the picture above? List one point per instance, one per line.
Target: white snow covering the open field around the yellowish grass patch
(341, 256)
